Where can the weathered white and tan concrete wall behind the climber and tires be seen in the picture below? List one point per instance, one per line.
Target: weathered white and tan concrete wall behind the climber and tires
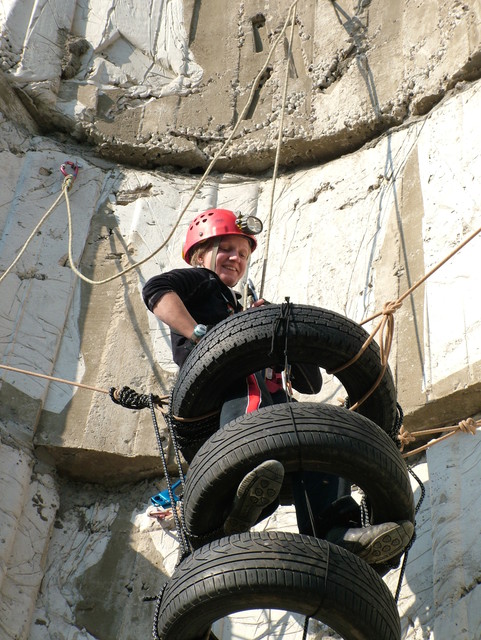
(378, 181)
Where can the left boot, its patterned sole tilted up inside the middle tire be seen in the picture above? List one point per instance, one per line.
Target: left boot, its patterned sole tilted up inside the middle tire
(258, 489)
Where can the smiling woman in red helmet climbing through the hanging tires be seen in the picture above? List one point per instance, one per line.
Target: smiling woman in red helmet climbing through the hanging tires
(218, 244)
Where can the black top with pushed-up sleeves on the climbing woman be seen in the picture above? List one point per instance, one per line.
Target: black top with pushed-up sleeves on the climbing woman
(205, 296)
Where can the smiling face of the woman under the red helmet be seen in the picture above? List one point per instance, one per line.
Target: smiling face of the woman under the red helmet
(231, 260)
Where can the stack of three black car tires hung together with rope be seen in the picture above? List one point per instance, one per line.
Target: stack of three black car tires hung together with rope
(283, 570)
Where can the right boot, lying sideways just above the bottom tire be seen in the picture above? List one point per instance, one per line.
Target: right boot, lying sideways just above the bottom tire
(375, 544)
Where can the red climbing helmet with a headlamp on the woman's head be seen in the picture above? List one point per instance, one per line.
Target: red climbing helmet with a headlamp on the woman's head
(219, 222)
